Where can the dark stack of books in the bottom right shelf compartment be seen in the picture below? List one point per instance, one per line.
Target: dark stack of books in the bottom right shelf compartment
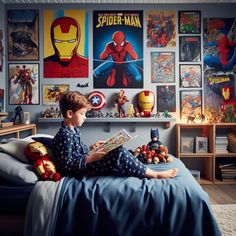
(226, 171)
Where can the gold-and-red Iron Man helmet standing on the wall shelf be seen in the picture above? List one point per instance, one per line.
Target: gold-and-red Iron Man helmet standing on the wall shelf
(146, 100)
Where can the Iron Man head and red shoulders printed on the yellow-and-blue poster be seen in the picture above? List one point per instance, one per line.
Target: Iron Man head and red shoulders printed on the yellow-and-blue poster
(65, 63)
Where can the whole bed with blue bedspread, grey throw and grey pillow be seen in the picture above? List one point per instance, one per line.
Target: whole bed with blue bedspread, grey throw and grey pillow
(114, 205)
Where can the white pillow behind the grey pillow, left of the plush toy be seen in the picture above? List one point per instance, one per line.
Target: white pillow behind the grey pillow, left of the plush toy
(15, 148)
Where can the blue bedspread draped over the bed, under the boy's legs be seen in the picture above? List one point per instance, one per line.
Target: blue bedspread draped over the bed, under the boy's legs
(112, 205)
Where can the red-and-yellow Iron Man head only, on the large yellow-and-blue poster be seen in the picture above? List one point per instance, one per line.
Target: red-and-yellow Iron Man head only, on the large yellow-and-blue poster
(65, 35)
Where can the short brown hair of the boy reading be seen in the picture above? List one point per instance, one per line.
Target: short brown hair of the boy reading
(74, 101)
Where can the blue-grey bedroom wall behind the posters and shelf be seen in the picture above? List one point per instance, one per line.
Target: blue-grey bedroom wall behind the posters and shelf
(95, 131)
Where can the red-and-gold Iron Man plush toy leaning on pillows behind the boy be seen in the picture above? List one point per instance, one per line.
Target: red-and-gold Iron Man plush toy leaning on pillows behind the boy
(37, 154)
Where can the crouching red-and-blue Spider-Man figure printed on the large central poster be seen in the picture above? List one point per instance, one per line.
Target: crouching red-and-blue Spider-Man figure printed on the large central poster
(118, 55)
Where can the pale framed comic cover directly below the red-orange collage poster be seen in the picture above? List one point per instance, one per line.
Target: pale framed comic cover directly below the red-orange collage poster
(162, 67)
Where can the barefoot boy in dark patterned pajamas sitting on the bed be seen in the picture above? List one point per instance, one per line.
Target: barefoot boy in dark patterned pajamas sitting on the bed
(73, 157)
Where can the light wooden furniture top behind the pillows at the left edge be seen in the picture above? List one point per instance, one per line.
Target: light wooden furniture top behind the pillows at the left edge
(17, 129)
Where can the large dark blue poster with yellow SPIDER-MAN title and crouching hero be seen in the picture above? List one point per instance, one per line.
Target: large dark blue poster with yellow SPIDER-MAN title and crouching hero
(118, 49)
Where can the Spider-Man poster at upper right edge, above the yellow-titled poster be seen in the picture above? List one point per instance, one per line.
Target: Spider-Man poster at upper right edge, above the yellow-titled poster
(219, 39)
